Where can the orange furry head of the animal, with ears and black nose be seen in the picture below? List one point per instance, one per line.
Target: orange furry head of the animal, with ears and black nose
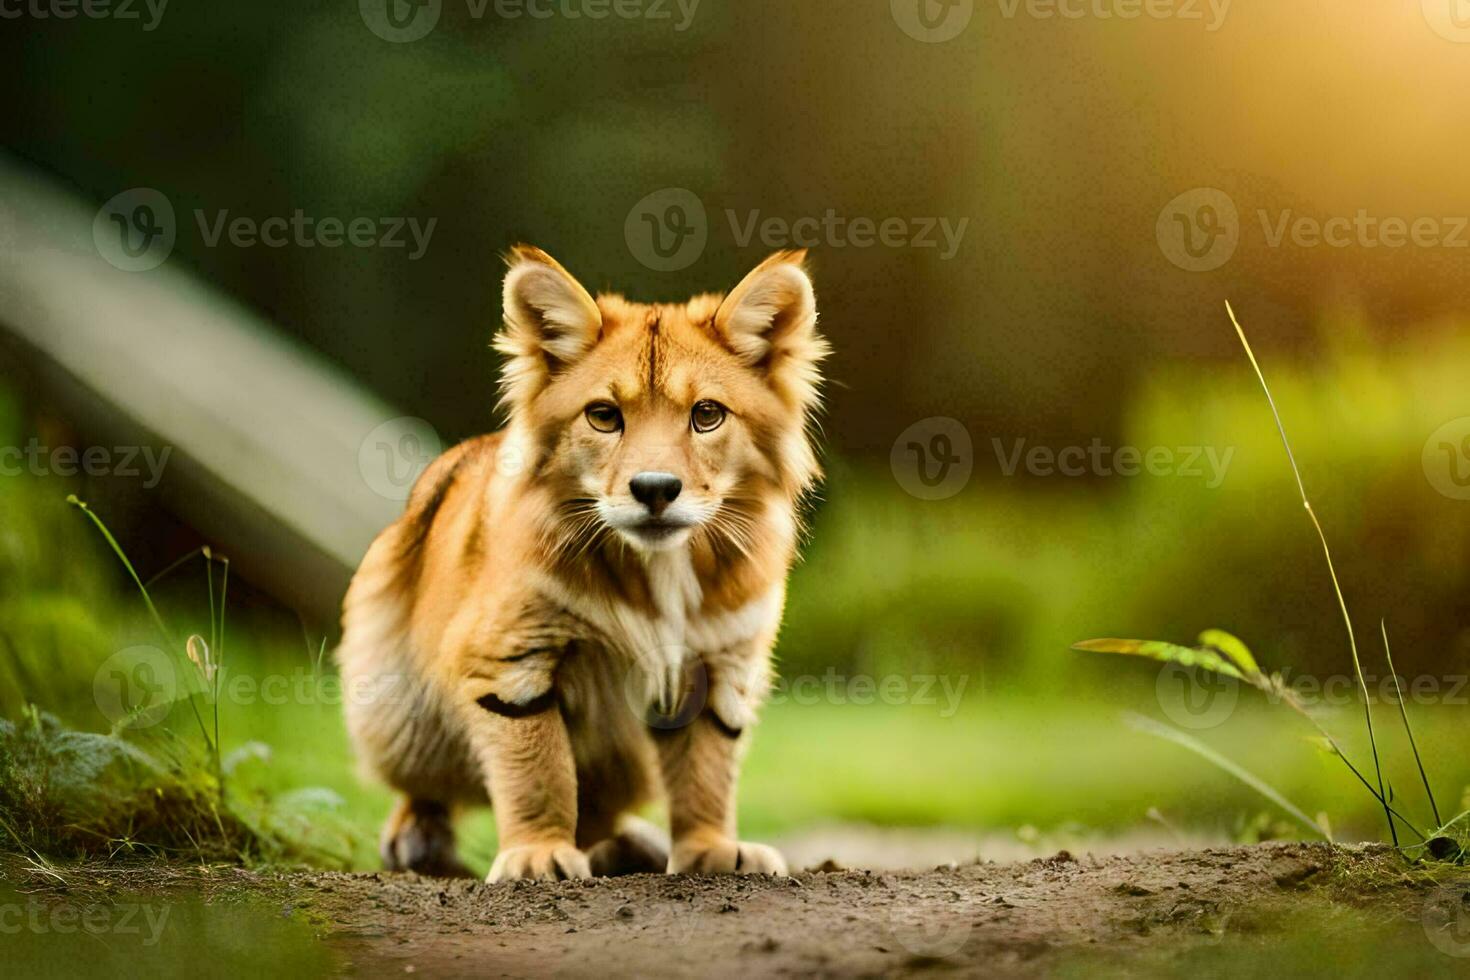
(664, 421)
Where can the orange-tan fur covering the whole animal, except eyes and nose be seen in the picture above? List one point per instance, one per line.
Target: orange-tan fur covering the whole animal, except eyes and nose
(531, 635)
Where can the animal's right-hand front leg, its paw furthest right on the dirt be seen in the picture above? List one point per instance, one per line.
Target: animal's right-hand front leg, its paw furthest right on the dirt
(700, 749)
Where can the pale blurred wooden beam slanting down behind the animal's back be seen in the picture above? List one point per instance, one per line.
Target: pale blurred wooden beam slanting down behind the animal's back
(279, 458)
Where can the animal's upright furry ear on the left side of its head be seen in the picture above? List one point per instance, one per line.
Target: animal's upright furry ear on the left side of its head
(551, 323)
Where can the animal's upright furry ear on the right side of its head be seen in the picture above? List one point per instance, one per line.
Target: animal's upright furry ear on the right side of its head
(770, 321)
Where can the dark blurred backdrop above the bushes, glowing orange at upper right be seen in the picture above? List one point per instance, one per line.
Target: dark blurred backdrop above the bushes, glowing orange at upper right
(1058, 142)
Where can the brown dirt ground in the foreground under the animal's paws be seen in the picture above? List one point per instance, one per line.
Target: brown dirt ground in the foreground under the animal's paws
(1296, 910)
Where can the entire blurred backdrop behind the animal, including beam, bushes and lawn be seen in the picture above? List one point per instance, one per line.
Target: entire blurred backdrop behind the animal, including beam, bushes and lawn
(1025, 221)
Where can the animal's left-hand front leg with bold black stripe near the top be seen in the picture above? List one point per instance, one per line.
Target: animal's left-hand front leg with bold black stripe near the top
(527, 760)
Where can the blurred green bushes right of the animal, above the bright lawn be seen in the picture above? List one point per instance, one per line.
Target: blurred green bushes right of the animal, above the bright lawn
(1011, 572)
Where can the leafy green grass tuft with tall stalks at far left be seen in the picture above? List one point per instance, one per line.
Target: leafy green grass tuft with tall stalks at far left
(145, 790)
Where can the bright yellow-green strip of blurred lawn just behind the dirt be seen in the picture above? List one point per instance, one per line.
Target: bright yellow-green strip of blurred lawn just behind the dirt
(1000, 765)
